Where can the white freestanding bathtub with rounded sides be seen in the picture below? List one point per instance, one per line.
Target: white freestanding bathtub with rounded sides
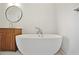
(32, 44)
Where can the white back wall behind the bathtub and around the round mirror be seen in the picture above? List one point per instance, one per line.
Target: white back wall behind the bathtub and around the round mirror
(34, 15)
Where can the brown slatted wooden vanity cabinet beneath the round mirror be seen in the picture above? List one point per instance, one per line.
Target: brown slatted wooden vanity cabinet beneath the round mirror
(8, 38)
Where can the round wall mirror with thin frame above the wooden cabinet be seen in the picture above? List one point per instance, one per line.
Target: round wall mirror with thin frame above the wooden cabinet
(13, 14)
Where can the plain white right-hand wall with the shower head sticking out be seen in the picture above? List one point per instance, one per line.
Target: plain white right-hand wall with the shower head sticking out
(68, 26)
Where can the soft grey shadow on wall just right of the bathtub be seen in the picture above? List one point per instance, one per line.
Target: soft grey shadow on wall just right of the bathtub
(65, 45)
